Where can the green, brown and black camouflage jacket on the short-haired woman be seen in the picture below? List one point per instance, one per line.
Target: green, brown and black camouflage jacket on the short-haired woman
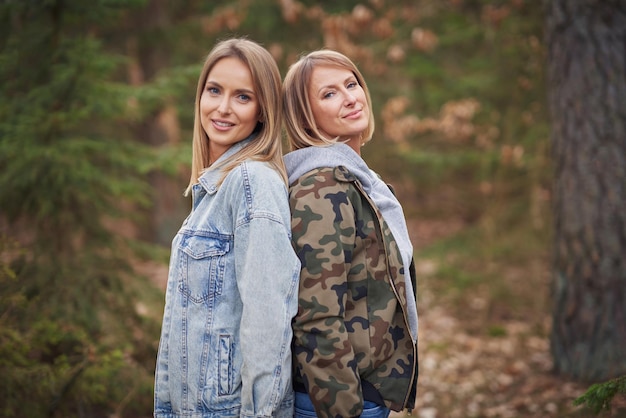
(351, 324)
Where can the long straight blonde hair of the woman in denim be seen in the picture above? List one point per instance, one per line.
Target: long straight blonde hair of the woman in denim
(266, 146)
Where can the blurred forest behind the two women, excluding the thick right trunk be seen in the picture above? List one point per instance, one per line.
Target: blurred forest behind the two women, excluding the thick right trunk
(96, 113)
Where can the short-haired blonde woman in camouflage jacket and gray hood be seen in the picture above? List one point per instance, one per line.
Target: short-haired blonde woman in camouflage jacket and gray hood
(355, 334)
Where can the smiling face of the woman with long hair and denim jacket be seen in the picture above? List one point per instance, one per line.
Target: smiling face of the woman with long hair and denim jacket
(229, 106)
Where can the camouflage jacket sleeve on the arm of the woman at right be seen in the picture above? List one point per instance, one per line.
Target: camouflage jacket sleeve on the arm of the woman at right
(323, 228)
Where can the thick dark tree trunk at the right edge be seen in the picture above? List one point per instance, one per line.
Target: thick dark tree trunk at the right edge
(586, 47)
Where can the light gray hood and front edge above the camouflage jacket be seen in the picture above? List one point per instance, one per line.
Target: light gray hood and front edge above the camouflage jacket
(304, 160)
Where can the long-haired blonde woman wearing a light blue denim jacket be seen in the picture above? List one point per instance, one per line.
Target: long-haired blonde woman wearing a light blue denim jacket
(232, 285)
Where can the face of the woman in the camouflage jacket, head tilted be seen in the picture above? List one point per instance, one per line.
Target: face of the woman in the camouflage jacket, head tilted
(339, 104)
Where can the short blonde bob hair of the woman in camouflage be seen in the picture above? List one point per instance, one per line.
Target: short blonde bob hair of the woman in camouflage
(300, 124)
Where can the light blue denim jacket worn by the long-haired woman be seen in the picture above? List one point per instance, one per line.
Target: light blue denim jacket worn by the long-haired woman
(231, 295)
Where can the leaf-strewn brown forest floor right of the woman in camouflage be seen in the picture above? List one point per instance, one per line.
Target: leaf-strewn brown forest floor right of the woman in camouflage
(471, 368)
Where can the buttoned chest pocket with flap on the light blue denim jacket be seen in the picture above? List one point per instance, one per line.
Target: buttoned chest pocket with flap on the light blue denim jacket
(203, 262)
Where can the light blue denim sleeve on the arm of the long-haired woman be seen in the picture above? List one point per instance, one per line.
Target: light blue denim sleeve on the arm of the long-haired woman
(267, 276)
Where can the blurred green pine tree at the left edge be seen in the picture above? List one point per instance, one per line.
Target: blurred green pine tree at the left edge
(69, 170)
